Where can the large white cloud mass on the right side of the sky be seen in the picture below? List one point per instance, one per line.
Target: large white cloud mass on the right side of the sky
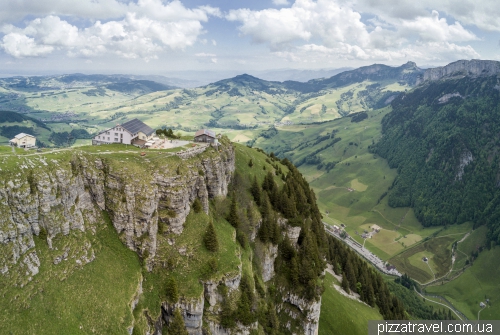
(331, 29)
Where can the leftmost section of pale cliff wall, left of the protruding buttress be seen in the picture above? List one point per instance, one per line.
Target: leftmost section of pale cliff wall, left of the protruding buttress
(49, 201)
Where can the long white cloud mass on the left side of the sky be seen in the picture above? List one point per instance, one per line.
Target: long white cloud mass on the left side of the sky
(148, 29)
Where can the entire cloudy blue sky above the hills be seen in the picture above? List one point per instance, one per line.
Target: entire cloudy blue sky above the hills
(159, 37)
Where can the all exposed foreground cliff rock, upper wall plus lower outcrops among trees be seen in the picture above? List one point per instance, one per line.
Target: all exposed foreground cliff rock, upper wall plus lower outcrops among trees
(68, 193)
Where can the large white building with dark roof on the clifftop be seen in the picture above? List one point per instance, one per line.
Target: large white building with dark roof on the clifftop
(130, 132)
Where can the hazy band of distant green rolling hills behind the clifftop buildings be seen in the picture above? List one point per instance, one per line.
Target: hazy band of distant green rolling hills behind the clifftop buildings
(243, 103)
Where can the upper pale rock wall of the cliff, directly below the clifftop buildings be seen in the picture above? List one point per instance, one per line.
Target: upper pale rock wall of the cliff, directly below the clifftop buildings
(67, 195)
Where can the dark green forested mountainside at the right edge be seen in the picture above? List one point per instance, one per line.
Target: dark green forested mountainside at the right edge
(444, 140)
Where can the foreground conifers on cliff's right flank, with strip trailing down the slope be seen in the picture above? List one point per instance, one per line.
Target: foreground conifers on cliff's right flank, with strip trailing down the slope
(299, 266)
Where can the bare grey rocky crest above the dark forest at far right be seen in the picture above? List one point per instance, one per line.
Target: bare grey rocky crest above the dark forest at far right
(474, 67)
